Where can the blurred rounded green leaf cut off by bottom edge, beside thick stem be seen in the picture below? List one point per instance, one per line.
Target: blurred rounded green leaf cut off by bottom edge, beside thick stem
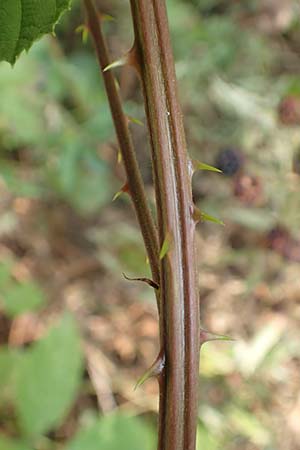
(114, 432)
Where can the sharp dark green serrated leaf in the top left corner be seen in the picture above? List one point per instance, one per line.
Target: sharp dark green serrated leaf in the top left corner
(24, 21)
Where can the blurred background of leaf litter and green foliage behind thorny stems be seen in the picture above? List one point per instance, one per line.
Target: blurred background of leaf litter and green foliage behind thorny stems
(74, 334)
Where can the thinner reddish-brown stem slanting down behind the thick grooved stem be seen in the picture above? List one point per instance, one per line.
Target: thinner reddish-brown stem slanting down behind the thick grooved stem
(134, 179)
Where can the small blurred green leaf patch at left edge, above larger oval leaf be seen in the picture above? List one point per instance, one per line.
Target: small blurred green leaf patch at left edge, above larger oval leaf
(20, 298)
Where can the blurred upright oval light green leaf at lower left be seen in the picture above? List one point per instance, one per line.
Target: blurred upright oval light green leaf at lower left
(48, 378)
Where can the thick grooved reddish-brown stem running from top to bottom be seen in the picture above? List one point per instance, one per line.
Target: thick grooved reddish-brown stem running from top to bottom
(179, 318)
